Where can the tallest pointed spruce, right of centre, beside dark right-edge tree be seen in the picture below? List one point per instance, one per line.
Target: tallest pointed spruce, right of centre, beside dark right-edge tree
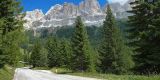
(115, 57)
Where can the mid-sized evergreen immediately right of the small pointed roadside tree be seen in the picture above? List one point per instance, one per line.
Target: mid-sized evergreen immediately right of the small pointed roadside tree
(54, 55)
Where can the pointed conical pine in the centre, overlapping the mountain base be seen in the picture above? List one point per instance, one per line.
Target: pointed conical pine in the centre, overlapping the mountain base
(81, 50)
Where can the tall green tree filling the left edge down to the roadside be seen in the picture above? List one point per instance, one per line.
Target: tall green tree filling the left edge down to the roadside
(11, 24)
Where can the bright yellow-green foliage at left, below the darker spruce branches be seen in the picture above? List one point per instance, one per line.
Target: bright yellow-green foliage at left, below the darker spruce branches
(11, 47)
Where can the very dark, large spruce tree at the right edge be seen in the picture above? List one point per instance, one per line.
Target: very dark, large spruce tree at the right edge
(144, 35)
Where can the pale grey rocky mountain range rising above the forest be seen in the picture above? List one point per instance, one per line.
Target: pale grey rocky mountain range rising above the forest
(62, 15)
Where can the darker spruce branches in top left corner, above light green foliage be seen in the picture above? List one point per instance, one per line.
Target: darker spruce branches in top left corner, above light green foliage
(10, 12)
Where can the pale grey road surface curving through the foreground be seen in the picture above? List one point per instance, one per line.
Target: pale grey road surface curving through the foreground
(28, 74)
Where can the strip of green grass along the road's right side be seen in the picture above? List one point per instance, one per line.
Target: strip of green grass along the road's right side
(105, 76)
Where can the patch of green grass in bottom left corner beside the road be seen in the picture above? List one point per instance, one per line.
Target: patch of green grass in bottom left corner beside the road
(6, 73)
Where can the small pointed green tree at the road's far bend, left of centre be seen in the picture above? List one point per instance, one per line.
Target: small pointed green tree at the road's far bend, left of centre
(39, 55)
